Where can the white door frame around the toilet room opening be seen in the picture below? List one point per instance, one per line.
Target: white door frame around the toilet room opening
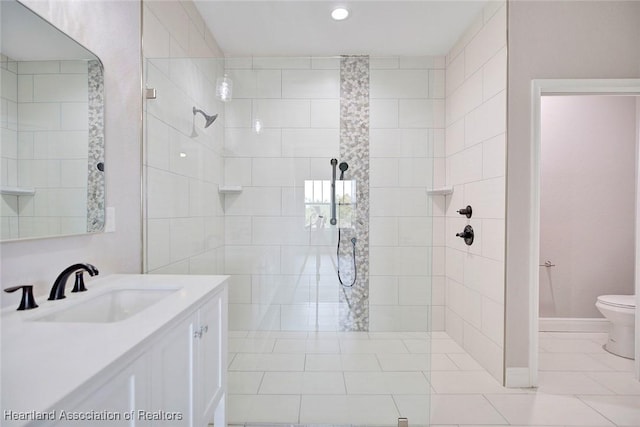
(539, 88)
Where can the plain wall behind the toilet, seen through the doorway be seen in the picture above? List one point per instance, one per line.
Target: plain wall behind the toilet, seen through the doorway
(587, 206)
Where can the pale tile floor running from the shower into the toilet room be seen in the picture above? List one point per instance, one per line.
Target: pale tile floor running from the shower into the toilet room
(334, 378)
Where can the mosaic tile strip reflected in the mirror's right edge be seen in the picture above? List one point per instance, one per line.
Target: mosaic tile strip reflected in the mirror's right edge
(95, 177)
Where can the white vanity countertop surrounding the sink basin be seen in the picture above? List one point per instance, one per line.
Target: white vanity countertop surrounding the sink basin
(42, 362)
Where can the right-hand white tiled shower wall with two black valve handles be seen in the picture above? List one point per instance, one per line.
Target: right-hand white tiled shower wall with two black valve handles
(475, 167)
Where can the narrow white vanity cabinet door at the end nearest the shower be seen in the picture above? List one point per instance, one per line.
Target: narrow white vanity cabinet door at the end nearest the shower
(211, 358)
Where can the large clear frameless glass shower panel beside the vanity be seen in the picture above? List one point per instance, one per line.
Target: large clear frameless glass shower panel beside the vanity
(311, 304)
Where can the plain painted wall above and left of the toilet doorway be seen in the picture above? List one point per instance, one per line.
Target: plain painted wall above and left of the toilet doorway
(592, 39)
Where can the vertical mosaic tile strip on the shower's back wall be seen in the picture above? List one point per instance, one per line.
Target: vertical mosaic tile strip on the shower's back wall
(354, 149)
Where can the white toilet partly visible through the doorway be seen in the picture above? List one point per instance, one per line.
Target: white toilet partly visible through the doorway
(620, 310)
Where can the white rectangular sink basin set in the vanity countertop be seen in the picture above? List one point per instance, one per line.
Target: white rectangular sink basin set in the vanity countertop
(111, 306)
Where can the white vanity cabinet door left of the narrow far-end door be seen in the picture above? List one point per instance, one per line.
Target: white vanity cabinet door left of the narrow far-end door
(171, 382)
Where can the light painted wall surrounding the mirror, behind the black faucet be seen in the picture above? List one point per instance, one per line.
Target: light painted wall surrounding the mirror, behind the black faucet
(111, 30)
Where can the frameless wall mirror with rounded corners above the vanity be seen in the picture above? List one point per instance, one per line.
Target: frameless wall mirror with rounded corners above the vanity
(52, 120)
